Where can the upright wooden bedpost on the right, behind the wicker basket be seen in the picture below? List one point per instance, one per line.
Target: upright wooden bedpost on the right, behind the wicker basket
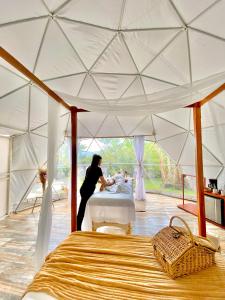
(199, 170)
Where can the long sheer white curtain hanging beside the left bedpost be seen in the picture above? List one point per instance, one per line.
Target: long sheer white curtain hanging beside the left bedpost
(45, 219)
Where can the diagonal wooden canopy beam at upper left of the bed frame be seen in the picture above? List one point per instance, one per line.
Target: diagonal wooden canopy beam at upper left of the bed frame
(21, 68)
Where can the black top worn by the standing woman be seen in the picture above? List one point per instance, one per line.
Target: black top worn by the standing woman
(91, 178)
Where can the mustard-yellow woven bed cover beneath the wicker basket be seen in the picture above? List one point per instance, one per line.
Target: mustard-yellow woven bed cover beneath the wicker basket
(102, 266)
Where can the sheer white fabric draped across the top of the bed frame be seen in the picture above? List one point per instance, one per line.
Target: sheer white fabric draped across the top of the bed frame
(162, 101)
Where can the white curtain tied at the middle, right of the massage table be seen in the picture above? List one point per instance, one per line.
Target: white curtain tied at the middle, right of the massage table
(139, 152)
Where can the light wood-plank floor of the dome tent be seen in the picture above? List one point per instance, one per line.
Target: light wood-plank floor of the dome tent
(18, 234)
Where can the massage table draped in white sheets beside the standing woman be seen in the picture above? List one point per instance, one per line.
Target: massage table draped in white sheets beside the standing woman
(113, 207)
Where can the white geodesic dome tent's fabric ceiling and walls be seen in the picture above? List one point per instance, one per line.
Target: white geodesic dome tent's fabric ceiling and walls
(134, 65)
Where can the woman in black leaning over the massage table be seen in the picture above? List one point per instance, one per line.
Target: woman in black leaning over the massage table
(93, 175)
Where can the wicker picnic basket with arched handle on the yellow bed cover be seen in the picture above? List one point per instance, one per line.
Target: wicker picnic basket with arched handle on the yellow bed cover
(181, 253)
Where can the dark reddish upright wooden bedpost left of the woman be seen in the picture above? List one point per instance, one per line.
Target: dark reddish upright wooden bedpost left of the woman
(73, 168)
